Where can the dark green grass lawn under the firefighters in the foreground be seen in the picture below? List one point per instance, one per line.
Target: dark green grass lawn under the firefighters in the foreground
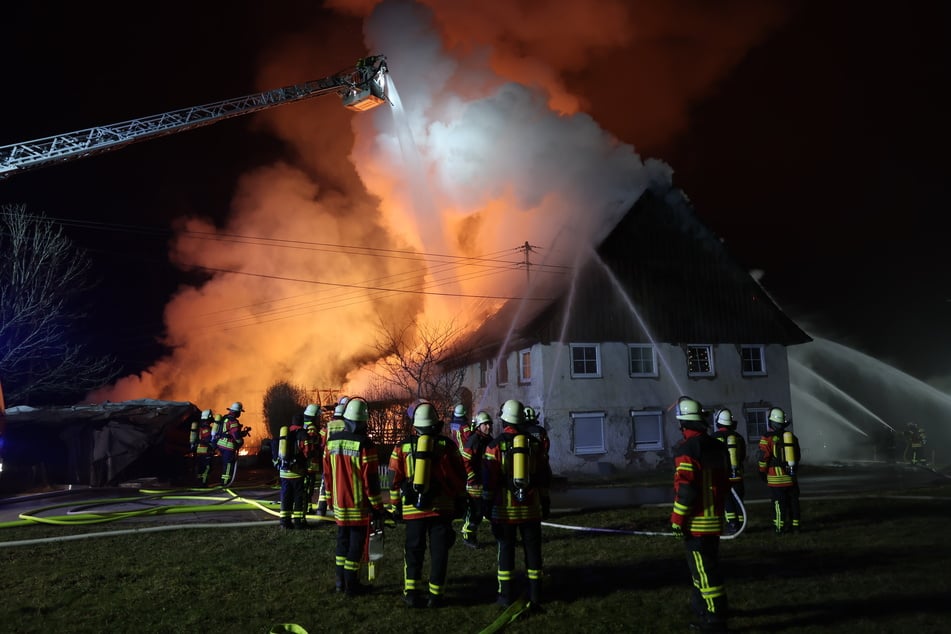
(877, 563)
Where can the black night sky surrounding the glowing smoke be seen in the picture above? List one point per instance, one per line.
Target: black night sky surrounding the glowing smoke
(817, 150)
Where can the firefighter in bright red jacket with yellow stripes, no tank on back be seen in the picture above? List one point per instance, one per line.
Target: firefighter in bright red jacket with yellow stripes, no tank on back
(352, 481)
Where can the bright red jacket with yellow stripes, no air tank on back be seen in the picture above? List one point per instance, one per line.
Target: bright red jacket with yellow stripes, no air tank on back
(352, 478)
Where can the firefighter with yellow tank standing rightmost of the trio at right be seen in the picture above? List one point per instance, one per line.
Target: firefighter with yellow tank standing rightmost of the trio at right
(779, 459)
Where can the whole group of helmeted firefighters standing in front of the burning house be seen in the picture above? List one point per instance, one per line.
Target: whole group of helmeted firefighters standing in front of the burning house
(469, 473)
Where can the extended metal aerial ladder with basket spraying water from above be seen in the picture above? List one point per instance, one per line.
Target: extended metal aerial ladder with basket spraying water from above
(362, 87)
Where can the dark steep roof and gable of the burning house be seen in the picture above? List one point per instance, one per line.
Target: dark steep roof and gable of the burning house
(660, 276)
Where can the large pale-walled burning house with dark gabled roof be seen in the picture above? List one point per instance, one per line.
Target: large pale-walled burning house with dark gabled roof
(661, 311)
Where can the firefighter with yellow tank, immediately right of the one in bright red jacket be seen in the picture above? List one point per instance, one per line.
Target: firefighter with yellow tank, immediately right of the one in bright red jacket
(427, 489)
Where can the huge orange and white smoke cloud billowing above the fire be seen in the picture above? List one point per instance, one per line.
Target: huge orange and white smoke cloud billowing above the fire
(416, 212)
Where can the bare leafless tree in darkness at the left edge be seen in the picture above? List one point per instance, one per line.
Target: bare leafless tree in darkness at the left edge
(43, 277)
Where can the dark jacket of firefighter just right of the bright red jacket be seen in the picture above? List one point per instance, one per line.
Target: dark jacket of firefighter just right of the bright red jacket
(447, 479)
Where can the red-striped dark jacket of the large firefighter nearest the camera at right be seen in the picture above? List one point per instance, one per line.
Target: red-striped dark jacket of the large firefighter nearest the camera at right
(701, 483)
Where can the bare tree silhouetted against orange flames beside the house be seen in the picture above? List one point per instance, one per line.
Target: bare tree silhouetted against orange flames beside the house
(414, 360)
